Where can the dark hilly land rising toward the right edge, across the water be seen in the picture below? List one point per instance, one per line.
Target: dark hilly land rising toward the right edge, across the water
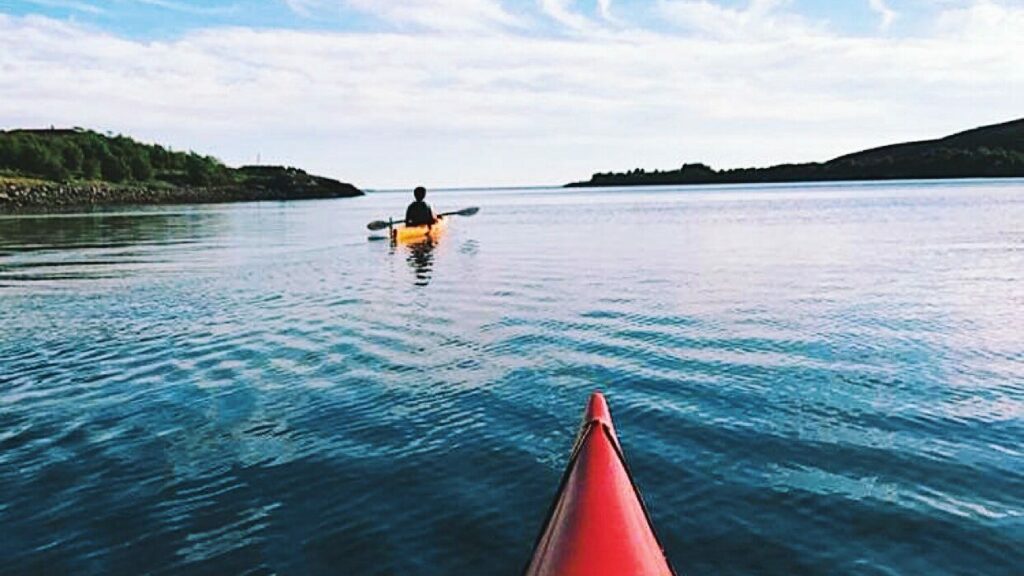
(996, 151)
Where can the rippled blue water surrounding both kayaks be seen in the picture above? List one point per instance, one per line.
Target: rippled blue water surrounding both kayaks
(813, 380)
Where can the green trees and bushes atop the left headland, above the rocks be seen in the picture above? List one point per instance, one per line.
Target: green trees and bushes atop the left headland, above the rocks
(86, 155)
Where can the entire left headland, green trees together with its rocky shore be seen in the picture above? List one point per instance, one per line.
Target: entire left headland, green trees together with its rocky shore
(56, 169)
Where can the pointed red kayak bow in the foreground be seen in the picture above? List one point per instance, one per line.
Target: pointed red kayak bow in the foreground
(599, 524)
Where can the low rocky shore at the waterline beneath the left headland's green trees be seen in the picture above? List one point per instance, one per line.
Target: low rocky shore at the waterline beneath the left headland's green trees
(22, 194)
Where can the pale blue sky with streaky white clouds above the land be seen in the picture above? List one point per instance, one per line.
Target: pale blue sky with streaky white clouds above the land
(395, 94)
